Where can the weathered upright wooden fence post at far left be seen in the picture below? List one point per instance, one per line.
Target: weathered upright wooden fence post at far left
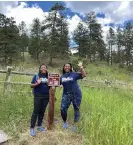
(8, 79)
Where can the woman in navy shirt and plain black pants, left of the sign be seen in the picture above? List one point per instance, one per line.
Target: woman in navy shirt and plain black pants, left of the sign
(40, 87)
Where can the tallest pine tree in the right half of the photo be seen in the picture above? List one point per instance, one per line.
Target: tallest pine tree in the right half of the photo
(96, 43)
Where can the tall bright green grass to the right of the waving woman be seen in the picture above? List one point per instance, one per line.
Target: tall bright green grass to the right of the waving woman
(107, 117)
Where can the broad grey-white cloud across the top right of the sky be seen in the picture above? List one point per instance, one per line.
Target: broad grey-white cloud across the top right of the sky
(117, 11)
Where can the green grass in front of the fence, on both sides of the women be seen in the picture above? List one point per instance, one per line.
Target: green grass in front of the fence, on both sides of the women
(106, 115)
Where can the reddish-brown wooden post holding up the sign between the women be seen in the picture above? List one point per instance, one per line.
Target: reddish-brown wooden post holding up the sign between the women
(51, 108)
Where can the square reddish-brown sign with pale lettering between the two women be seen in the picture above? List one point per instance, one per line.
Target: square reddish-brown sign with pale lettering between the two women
(53, 79)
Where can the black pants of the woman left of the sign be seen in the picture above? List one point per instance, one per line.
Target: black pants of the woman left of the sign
(40, 104)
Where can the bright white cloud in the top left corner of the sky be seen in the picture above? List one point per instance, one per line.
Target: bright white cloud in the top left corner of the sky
(22, 12)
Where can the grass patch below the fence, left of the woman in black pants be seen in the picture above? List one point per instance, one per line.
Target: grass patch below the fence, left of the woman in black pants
(15, 112)
